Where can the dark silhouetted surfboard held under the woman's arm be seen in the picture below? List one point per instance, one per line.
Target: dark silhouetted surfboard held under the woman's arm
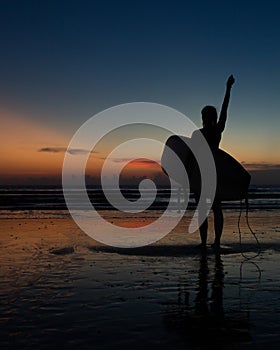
(232, 179)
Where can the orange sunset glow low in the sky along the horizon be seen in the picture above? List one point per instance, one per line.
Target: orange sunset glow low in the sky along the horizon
(32, 149)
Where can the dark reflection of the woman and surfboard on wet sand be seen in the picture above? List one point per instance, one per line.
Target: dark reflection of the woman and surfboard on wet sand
(204, 323)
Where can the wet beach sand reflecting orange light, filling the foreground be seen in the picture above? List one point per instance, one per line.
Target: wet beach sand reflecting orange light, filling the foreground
(59, 287)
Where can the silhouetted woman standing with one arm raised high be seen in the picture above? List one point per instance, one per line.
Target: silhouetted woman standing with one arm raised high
(212, 131)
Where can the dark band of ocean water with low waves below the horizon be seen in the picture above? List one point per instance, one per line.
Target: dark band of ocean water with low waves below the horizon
(52, 198)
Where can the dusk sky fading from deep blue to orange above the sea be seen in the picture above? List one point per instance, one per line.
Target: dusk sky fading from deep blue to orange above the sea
(64, 61)
